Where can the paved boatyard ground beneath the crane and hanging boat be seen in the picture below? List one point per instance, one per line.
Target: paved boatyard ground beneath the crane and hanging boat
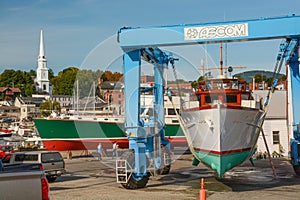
(88, 178)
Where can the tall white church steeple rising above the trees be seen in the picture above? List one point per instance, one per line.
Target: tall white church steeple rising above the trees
(42, 81)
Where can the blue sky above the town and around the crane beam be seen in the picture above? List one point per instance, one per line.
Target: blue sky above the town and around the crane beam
(75, 30)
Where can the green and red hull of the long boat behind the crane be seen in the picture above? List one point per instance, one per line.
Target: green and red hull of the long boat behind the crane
(66, 135)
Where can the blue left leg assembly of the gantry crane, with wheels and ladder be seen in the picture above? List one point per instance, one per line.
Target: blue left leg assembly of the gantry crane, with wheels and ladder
(149, 150)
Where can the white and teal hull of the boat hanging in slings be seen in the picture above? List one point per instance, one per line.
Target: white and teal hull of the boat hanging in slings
(222, 137)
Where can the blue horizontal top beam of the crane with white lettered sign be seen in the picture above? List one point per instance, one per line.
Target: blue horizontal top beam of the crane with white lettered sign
(243, 30)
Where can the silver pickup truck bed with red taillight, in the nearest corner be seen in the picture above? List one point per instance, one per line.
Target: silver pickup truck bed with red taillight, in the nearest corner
(23, 181)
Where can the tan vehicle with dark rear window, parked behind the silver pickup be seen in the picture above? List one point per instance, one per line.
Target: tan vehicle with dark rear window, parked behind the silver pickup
(52, 161)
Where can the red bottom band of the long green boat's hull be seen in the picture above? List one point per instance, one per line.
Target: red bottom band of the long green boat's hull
(67, 145)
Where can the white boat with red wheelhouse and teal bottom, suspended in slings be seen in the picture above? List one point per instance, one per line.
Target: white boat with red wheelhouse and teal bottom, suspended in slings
(223, 129)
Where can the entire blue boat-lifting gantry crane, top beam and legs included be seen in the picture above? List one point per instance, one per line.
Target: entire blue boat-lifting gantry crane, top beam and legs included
(148, 147)
